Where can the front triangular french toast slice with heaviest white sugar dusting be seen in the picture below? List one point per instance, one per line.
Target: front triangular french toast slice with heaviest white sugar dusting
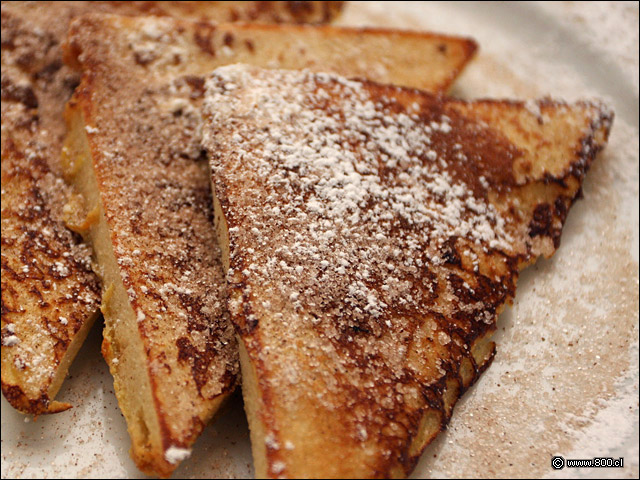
(372, 234)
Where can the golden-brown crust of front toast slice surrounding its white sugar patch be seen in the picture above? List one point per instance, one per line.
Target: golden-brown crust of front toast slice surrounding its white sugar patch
(582, 130)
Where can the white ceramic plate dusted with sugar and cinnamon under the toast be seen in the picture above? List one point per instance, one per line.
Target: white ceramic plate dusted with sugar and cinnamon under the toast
(565, 379)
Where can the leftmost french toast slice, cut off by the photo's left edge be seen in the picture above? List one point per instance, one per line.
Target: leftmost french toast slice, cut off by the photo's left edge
(50, 296)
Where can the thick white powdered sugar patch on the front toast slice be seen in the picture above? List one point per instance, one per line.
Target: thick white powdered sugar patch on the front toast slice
(340, 210)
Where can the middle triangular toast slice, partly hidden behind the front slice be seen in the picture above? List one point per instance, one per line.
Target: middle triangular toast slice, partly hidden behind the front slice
(134, 154)
